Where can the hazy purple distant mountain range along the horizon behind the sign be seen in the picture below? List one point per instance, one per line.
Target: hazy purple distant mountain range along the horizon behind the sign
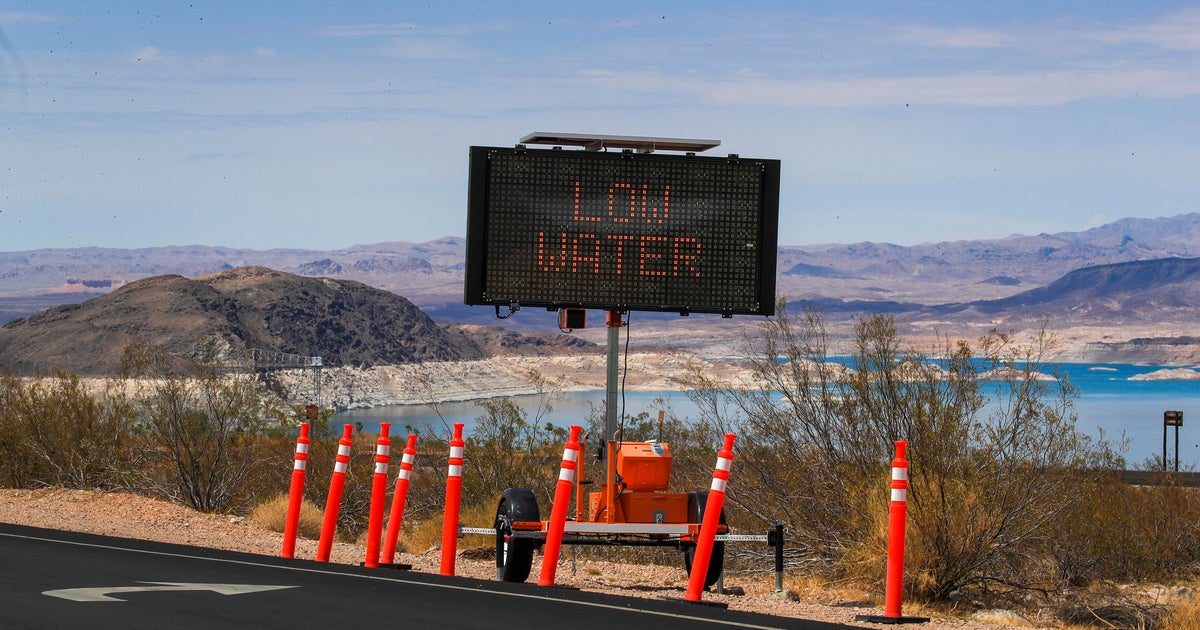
(1133, 274)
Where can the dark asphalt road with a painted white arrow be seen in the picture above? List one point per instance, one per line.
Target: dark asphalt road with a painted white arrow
(56, 580)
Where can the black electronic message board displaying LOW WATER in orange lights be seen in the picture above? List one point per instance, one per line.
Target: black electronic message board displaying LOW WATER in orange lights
(622, 231)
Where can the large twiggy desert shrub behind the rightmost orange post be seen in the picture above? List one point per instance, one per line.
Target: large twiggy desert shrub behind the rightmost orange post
(994, 461)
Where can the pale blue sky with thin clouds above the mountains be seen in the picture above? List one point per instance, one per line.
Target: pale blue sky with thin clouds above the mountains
(326, 125)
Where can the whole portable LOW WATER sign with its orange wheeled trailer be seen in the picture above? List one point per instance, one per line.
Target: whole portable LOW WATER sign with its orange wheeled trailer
(649, 233)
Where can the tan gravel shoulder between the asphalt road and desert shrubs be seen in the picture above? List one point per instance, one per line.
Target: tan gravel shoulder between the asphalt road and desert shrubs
(130, 517)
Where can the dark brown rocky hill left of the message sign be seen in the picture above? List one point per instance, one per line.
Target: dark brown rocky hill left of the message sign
(344, 322)
